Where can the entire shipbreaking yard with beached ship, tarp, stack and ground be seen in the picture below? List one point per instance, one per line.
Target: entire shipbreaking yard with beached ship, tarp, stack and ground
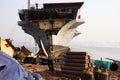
(53, 27)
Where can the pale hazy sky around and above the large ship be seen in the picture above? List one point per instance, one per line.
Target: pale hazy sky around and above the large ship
(101, 20)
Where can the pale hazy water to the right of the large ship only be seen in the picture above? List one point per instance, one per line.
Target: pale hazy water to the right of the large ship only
(98, 51)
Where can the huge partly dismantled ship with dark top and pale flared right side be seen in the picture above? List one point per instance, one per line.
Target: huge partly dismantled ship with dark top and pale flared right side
(53, 26)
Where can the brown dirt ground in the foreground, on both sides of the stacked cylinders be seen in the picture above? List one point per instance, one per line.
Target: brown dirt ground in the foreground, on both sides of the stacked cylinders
(47, 75)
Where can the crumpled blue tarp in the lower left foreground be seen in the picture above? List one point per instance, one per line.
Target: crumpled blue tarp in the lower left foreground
(13, 70)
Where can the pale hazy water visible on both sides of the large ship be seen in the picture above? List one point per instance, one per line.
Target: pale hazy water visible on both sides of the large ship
(96, 50)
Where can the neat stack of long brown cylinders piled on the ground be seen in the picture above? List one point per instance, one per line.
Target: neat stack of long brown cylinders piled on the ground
(78, 65)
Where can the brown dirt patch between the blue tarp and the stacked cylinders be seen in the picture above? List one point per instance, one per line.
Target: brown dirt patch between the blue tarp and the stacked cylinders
(43, 70)
